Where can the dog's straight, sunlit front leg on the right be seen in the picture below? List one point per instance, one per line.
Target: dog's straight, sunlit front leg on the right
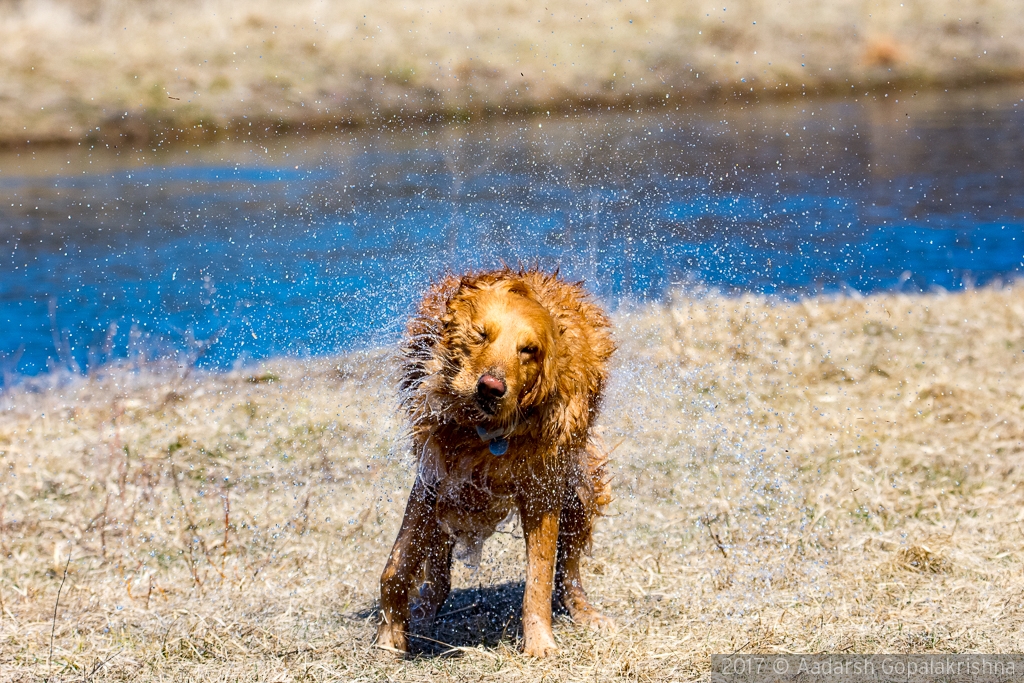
(540, 523)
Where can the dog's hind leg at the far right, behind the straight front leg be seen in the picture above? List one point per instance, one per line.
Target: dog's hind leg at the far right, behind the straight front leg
(574, 536)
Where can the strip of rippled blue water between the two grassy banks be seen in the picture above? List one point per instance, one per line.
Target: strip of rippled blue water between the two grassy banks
(317, 245)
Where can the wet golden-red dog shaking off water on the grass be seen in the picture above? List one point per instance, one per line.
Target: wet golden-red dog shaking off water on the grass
(501, 376)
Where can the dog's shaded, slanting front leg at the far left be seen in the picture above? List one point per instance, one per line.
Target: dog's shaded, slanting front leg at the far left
(403, 569)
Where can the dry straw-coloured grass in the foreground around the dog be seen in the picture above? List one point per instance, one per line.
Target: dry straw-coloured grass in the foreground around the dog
(821, 476)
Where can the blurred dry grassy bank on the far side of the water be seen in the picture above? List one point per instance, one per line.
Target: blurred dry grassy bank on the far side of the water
(74, 70)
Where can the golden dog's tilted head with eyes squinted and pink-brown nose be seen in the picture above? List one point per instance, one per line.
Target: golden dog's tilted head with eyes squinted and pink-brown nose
(501, 349)
